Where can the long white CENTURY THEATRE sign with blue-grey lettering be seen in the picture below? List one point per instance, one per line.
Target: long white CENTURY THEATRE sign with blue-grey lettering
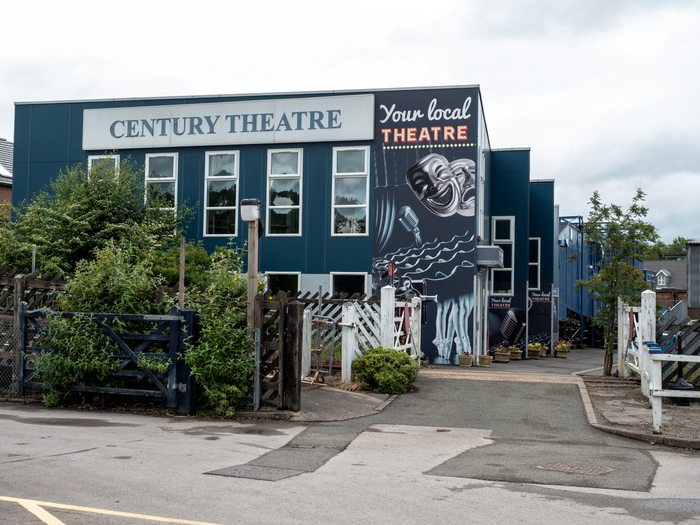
(226, 123)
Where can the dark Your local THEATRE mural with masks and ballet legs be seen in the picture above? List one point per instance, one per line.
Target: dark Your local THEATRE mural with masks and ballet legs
(423, 212)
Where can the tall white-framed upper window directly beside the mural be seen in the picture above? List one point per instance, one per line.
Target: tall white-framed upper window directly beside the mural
(350, 191)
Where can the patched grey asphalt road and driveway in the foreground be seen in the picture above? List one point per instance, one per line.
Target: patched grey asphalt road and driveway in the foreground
(453, 451)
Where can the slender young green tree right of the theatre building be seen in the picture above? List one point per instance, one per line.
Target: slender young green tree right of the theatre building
(617, 238)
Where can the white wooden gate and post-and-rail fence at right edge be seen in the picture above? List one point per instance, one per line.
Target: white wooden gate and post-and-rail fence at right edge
(637, 350)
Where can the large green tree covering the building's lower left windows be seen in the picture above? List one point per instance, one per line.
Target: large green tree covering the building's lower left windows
(80, 212)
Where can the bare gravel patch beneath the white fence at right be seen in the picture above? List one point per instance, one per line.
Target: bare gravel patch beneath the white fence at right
(619, 403)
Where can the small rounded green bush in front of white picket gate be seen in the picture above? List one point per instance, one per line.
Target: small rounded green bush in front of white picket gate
(386, 370)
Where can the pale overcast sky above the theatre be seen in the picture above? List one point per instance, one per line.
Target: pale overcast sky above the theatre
(605, 92)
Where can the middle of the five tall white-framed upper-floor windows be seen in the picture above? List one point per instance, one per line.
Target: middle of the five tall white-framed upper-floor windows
(221, 193)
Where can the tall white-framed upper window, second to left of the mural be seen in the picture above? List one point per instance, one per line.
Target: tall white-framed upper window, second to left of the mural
(284, 169)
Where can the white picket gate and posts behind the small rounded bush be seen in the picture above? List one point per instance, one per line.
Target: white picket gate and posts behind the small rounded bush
(391, 324)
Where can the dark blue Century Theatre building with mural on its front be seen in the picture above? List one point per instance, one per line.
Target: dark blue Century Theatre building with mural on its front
(359, 189)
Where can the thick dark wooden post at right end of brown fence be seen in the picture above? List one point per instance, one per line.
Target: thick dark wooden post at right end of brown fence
(290, 368)
